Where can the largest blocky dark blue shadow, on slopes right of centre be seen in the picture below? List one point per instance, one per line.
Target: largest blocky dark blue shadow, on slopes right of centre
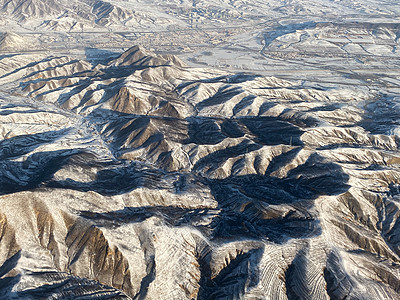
(244, 201)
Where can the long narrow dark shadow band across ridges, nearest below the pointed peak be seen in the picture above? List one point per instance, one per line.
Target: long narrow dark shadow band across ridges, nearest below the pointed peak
(201, 130)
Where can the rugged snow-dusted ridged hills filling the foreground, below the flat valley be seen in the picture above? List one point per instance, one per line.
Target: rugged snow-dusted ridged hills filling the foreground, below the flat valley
(143, 178)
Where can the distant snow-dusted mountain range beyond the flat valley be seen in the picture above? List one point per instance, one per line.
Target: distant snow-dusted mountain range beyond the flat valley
(61, 15)
